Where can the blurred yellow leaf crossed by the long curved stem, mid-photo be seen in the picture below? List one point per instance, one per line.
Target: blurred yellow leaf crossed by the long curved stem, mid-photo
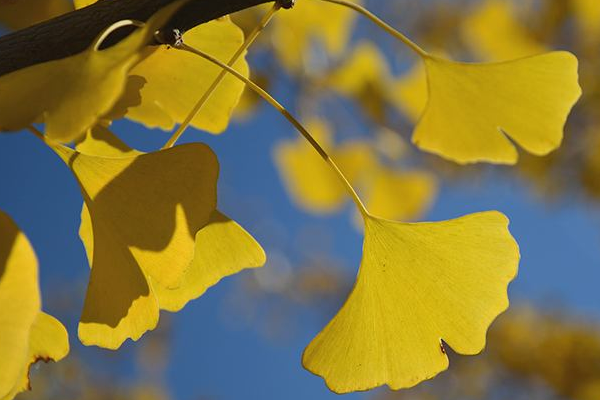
(309, 180)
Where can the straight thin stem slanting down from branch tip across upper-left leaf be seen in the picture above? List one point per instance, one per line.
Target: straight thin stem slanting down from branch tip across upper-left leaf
(249, 40)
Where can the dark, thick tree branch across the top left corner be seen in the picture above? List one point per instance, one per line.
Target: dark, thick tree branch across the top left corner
(73, 32)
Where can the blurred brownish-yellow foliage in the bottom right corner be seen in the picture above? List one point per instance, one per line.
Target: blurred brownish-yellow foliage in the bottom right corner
(563, 352)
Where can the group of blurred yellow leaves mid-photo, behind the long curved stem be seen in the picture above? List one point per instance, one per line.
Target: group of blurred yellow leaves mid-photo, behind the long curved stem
(388, 192)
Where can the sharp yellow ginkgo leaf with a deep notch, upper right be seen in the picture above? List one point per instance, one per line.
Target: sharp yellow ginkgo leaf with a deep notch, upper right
(473, 109)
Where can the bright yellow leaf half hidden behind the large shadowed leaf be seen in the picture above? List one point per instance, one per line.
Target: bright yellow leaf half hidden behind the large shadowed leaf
(223, 248)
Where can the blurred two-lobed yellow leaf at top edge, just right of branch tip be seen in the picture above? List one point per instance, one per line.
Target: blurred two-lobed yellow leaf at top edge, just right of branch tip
(294, 31)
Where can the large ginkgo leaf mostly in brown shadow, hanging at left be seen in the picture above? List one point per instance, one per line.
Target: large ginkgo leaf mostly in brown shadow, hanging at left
(144, 210)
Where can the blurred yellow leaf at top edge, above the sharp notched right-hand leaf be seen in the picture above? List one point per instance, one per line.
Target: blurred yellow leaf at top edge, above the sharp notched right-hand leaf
(493, 32)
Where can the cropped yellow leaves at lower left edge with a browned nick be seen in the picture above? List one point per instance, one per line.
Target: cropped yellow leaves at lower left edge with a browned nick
(27, 334)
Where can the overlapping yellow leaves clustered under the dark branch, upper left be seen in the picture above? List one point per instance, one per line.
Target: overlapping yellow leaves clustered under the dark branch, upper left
(159, 86)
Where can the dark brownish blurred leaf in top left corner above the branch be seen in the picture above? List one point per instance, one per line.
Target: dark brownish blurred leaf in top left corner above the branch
(19, 14)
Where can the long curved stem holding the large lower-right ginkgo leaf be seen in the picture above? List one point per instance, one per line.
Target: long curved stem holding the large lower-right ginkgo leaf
(265, 95)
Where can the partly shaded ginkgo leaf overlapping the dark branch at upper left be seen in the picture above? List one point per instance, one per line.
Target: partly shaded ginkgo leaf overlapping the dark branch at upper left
(71, 94)
